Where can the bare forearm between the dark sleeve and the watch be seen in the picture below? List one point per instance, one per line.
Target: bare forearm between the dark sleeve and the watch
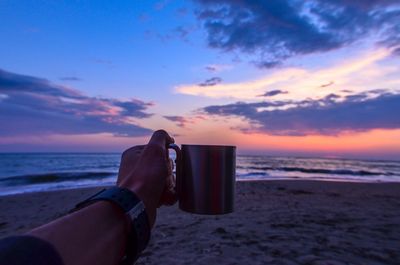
(96, 234)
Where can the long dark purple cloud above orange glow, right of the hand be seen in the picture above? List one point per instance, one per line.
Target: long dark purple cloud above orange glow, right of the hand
(331, 115)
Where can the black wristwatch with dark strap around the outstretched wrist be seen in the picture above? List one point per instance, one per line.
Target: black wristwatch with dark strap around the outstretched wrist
(134, 208)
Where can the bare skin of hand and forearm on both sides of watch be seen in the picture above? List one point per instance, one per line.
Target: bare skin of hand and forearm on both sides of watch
(98, 233)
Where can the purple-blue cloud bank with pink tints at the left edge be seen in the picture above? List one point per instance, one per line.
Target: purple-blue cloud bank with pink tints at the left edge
(34, 106)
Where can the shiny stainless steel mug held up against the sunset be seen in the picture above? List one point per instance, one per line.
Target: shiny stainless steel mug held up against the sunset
(205, 178)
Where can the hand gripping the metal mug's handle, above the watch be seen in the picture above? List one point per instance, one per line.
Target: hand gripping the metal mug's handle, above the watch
(147, 171)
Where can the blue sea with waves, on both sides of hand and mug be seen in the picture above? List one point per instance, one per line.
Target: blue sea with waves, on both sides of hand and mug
(33, 172)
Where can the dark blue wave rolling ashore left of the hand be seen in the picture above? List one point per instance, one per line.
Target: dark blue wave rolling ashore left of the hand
(53, 177)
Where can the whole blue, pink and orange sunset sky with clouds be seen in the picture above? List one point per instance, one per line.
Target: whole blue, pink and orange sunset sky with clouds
(290, 78)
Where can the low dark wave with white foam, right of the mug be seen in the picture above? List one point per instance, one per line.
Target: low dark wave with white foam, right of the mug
(322, 171)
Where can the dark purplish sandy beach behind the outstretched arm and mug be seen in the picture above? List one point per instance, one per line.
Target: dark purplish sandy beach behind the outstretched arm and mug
(275, 222)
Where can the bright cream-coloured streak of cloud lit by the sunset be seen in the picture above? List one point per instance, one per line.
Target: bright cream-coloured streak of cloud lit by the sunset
(363, 71)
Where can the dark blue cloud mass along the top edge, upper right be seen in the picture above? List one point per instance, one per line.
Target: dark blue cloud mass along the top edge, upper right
(276, 30)
